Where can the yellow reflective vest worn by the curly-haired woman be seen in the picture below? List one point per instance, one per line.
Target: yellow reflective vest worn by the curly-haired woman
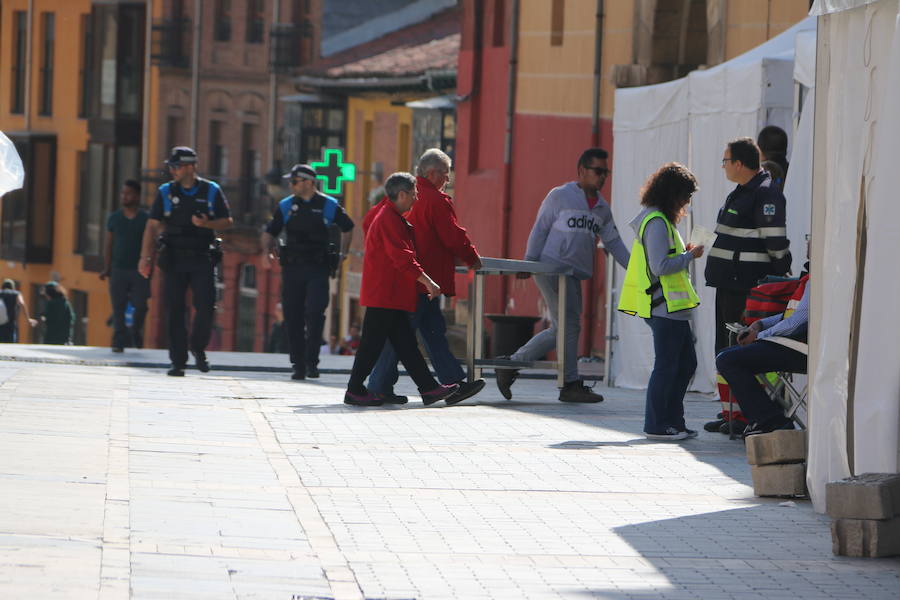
(638, 288)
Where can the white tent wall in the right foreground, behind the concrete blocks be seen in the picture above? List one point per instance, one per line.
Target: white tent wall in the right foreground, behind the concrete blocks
(854, 351)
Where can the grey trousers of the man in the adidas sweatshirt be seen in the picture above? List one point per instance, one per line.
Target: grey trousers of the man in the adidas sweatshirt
(545, 341)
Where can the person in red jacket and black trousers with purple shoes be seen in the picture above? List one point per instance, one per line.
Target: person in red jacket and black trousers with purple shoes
(390, 275)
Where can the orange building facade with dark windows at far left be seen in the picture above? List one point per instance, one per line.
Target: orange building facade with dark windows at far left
(46, 108)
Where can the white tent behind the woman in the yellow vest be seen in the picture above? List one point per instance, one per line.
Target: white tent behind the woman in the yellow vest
(690, 120)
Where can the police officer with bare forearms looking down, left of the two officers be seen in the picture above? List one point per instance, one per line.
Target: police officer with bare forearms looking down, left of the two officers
(187, 212)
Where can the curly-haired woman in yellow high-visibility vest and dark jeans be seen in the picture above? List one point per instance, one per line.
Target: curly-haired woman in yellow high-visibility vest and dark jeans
(658, 288)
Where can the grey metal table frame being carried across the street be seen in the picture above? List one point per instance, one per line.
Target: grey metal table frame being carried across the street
(475, 332)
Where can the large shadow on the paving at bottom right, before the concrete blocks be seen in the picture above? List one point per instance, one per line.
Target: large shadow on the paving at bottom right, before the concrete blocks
(743, 552)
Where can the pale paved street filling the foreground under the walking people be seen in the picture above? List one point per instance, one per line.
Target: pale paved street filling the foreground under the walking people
(118, 482)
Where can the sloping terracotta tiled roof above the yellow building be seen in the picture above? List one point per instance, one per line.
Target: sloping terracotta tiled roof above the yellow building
(430, 45)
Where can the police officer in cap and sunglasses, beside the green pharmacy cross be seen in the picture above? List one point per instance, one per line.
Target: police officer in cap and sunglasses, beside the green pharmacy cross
(308, 217)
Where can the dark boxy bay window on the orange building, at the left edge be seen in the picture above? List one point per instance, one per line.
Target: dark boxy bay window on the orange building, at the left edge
(26, 226)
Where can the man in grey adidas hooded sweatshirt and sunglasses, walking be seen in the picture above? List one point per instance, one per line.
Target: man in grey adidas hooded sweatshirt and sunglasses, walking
(565, 233)
